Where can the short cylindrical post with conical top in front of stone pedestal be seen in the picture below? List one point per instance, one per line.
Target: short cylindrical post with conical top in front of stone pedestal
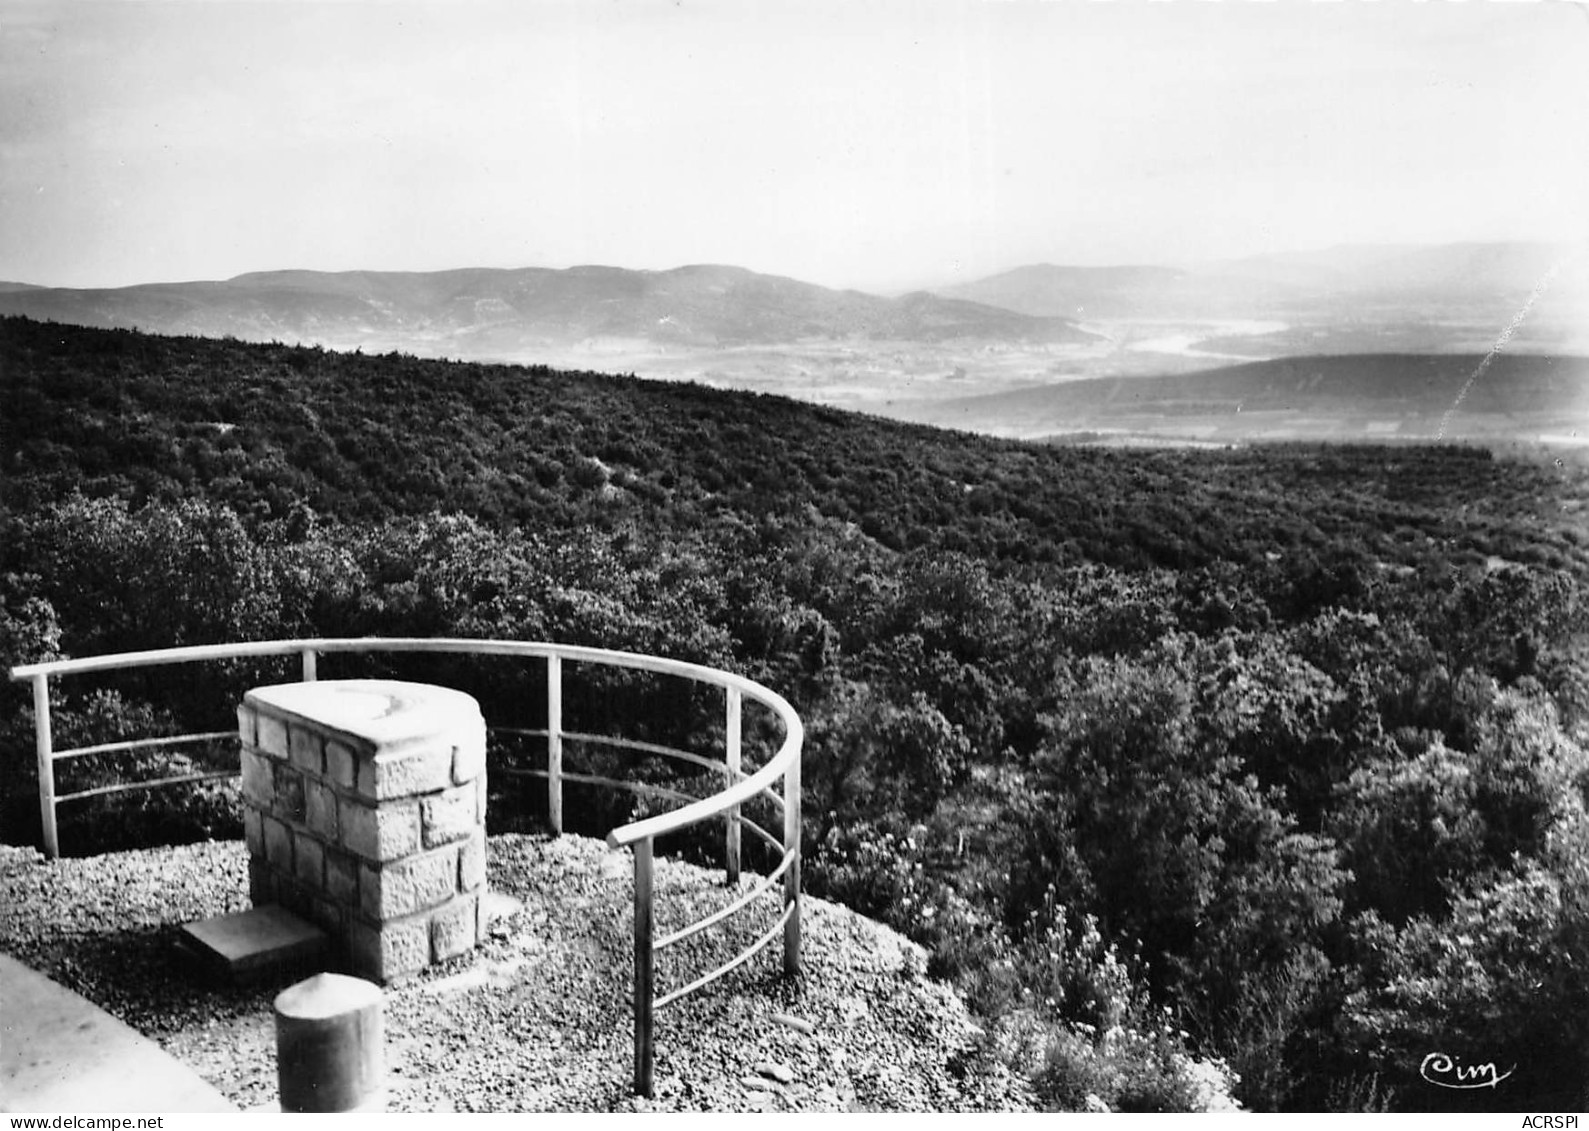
(330, 1046)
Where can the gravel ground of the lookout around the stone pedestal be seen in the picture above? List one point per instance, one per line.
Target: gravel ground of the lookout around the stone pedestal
(539, 1017)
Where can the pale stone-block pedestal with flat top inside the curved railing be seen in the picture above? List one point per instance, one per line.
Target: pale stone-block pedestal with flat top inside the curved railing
(365, 814)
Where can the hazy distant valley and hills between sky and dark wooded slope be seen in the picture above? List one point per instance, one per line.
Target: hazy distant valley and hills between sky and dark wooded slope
(997, 355)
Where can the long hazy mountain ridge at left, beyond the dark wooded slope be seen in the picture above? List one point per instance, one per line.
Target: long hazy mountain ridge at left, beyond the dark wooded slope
(482, 312)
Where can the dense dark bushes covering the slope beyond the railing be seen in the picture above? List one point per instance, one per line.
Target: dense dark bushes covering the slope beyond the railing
(1267, 757)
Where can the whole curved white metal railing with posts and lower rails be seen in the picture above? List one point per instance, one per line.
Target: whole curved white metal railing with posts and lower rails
(784, 768)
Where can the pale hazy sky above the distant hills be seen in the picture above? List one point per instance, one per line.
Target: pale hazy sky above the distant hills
(849, 144)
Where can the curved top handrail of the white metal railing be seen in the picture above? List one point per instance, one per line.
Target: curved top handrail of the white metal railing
(621, 838)
